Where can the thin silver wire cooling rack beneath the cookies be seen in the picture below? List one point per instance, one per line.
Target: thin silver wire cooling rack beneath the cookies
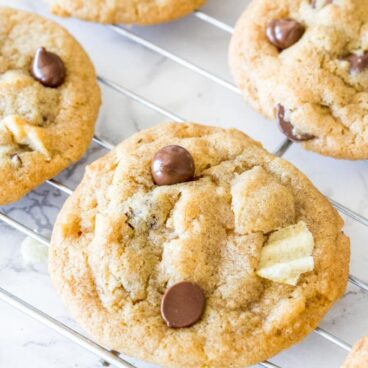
(106, 355)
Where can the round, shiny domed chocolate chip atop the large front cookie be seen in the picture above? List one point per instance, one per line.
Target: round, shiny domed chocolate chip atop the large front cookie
(172, 165)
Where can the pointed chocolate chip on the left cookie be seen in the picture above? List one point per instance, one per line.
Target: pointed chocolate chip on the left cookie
(48, 68)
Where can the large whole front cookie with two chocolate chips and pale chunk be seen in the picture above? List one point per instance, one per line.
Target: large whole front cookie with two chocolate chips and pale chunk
(191, 246)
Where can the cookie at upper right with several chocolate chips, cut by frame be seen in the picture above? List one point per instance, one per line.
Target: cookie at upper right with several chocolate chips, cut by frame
(305, 63)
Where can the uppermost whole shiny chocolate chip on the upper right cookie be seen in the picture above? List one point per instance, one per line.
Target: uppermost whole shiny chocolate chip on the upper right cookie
(284, 33)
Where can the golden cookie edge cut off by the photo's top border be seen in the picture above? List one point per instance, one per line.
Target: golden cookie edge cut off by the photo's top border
(143, 12)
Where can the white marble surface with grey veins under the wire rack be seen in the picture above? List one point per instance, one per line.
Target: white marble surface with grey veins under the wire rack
(26, 343)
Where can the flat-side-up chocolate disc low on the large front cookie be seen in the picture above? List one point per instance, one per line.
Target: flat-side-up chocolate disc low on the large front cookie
(183, 305)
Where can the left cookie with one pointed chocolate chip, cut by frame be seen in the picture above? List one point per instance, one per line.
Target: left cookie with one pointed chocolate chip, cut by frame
(49, 102)
